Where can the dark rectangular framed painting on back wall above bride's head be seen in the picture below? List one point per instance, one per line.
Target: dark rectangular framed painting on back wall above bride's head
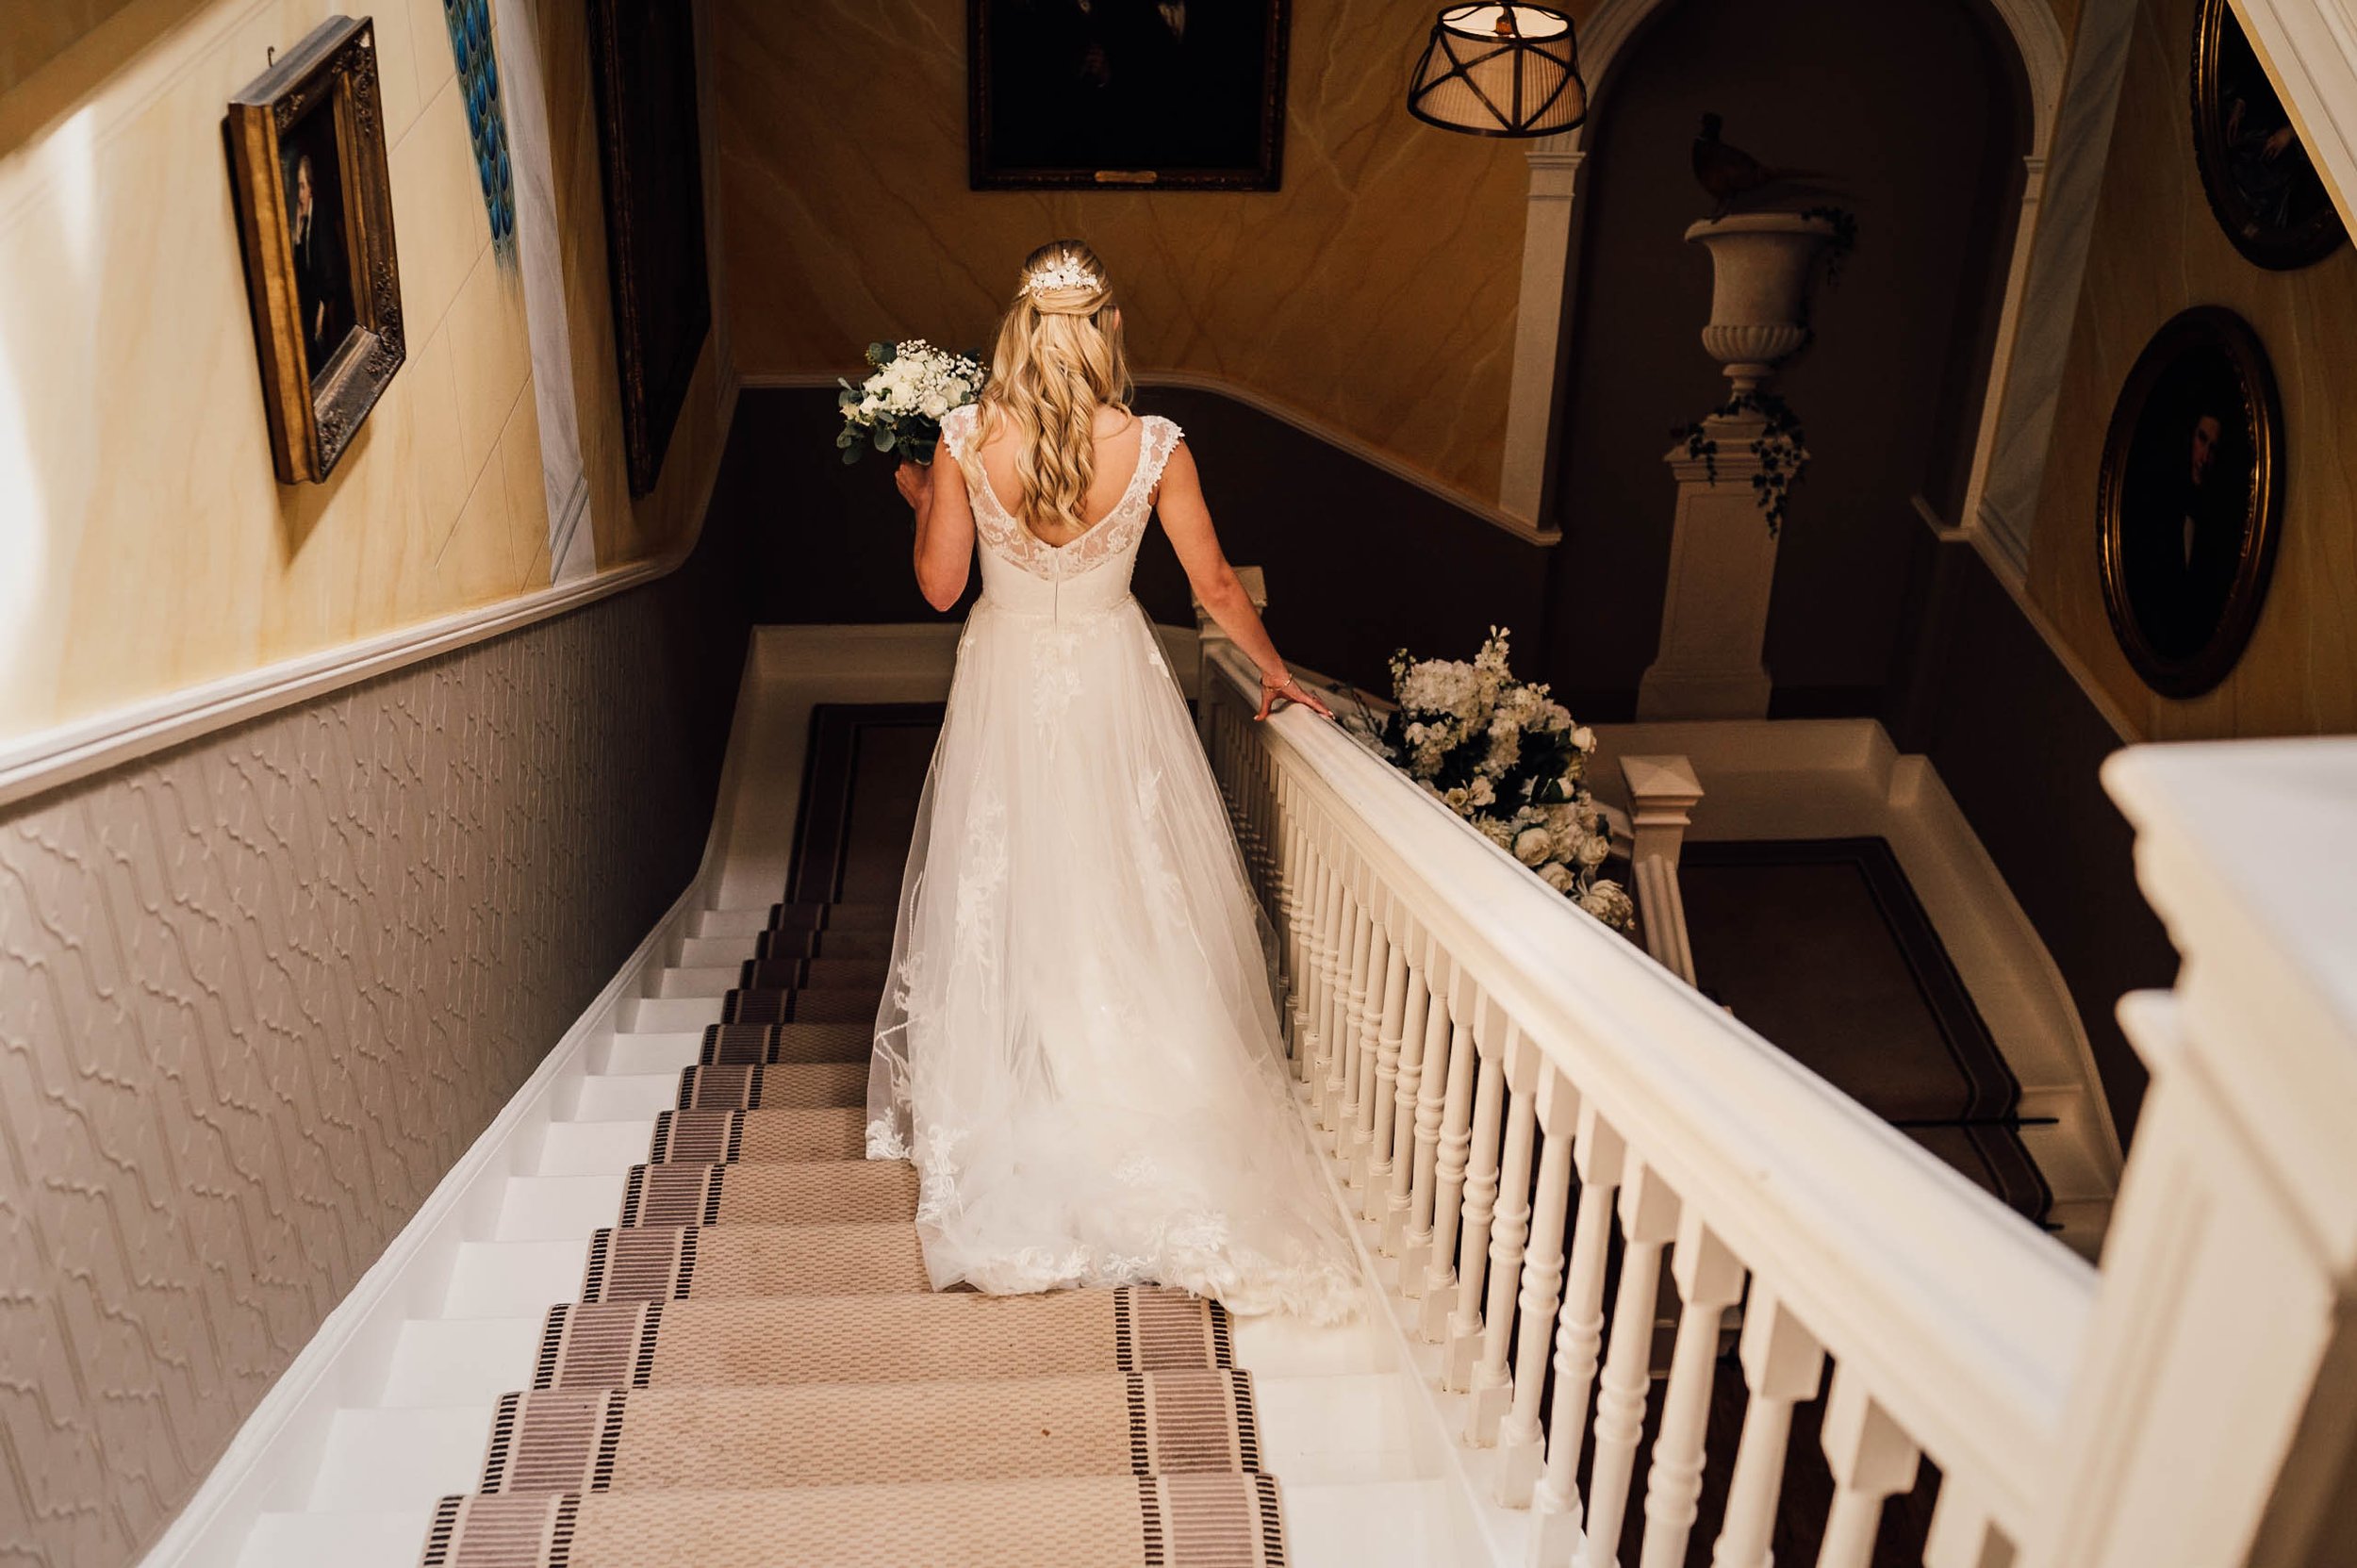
(1125, 93)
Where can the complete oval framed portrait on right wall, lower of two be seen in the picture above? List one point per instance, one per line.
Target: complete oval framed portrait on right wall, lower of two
(2188, 501)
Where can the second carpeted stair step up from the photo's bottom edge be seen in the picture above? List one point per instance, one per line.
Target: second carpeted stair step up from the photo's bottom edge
(866, 1435)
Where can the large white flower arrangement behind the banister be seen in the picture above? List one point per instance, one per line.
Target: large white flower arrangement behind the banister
(1510, 760)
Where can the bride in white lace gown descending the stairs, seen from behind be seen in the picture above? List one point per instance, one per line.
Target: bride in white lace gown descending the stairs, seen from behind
(1078, 1046)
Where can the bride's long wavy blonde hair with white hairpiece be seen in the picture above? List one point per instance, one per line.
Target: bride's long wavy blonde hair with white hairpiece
(1059, 355)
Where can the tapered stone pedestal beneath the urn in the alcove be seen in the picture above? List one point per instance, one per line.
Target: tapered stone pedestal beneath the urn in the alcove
(1715, 610)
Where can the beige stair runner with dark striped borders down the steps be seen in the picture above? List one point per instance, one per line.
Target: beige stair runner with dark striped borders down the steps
(758, 1371)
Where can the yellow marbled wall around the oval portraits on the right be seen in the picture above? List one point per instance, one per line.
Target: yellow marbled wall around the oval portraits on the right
(2158, 251)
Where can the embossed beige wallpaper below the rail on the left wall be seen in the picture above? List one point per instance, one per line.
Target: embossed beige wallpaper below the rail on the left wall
(258, 996)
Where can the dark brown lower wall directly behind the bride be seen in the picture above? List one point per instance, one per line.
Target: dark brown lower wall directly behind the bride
(1359, 562)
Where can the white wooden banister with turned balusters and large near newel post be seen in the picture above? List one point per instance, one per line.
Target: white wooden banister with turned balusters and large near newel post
(1531, 1119)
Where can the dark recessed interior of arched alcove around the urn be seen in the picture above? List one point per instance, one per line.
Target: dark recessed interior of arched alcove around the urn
(1924, 114)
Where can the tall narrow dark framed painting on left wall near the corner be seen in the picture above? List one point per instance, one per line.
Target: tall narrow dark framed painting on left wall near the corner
(647, 131)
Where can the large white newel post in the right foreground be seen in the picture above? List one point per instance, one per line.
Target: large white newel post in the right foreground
(2214, 1414)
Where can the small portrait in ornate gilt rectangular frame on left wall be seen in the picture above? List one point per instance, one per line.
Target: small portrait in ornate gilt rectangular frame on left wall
(317, 225)
